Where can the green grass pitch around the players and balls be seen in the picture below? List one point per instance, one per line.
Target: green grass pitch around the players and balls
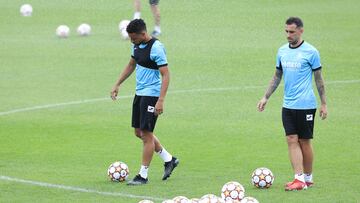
(221, 56)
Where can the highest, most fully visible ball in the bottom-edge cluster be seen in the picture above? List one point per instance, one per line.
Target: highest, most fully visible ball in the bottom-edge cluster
(232, 192)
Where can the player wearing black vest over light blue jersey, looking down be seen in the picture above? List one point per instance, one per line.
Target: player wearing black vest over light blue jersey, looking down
(148, 59)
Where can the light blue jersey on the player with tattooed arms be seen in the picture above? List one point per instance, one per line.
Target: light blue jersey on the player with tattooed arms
(297, 64)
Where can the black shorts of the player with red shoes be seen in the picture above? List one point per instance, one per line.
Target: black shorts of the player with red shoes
(300, 122)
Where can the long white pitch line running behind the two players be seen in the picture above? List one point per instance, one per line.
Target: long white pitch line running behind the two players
(47, 106)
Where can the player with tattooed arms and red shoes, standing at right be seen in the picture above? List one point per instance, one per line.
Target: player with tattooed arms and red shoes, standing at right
(298, 61)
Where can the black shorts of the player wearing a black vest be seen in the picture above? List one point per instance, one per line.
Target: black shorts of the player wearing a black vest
(143, 115)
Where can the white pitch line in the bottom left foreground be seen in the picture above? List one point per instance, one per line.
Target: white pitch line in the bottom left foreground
(77, 189)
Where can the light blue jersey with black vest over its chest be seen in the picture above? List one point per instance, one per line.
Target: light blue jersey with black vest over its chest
(148, 62)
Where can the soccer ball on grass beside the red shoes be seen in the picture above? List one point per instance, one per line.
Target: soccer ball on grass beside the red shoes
(262, 178)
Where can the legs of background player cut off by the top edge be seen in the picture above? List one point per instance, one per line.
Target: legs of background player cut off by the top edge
(154, 4)
